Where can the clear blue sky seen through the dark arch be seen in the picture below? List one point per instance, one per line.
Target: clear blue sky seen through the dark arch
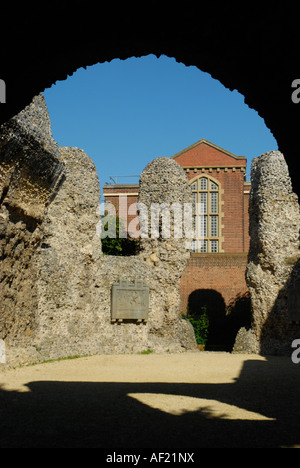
(124, 113)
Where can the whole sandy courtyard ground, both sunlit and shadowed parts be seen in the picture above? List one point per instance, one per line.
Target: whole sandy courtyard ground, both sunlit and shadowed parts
(185, 400)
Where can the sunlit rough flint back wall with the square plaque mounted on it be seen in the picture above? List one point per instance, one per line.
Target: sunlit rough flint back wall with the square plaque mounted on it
(75, 282)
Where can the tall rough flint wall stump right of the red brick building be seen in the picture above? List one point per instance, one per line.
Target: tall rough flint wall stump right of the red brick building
(273, 265)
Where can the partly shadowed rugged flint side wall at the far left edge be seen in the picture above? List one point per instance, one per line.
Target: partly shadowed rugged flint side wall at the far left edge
(30, 174)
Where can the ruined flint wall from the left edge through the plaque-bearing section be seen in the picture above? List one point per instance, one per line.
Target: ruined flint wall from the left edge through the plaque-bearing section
(55, 282)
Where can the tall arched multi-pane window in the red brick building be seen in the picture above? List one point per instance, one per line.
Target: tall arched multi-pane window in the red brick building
(206, 215)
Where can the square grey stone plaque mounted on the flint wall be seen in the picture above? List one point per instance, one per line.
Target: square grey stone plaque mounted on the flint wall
(129, 301)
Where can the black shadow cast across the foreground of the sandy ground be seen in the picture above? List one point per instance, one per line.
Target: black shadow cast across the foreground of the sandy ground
(56, 414)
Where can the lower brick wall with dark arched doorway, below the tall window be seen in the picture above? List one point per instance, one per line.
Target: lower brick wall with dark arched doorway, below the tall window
(217, 282)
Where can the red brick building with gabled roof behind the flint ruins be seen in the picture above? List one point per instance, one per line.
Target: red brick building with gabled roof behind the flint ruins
(215, 274)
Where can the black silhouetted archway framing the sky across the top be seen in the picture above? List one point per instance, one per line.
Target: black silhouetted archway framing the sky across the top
(252, 50)
